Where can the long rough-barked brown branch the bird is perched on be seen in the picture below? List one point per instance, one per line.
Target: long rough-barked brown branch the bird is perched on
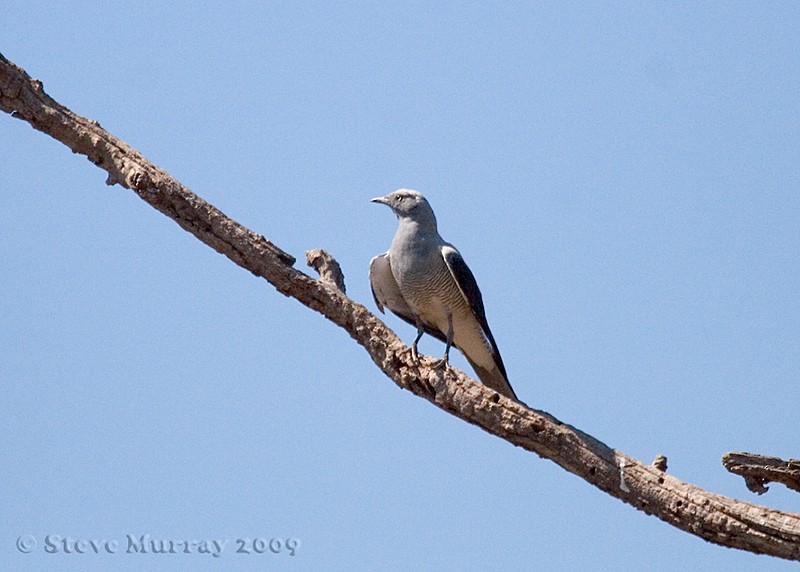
(713, 517)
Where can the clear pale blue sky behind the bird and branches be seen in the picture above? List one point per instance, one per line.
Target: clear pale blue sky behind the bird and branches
(623, 181)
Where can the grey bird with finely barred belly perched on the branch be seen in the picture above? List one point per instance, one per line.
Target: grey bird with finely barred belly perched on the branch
(425, 281)
